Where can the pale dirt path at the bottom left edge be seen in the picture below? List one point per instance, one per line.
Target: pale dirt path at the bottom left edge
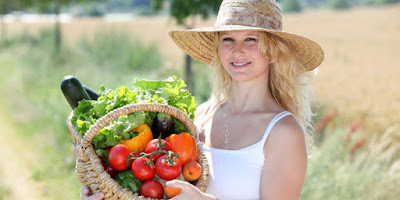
(16, 165)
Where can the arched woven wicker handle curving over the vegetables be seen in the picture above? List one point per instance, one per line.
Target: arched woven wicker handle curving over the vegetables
(131, 108)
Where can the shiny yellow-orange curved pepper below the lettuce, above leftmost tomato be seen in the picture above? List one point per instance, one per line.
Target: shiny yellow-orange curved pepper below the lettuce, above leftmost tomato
(139, 142)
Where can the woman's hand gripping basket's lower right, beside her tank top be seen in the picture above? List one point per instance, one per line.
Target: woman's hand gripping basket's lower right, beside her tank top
(189, 191)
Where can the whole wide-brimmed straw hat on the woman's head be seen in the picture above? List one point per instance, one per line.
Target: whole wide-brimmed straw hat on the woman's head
(249, 15)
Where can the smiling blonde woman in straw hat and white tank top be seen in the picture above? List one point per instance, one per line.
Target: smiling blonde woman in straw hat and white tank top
(254, 127)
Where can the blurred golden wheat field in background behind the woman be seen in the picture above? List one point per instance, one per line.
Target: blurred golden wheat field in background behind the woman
(359, 76)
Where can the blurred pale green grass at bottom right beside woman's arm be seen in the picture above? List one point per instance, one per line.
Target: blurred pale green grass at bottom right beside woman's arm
(337, 172)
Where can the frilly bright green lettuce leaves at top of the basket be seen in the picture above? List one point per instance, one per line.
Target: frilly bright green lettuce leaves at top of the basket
(171, 91)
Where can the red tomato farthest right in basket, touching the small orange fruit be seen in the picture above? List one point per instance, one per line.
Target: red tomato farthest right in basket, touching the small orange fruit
(166, 171)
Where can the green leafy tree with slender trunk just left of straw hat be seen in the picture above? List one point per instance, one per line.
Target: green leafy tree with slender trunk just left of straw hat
(181, 10)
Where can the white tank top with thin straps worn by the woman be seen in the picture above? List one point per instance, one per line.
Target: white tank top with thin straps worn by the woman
(236, 174)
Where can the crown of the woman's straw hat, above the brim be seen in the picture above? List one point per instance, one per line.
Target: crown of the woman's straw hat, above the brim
(264, 14)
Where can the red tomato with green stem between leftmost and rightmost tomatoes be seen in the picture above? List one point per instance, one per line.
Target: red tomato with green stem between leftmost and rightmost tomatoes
(141, 170)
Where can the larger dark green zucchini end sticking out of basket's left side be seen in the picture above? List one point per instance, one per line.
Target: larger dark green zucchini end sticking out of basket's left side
(73, 90)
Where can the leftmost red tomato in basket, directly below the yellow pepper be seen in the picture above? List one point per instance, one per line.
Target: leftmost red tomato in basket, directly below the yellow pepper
(118, 156)
